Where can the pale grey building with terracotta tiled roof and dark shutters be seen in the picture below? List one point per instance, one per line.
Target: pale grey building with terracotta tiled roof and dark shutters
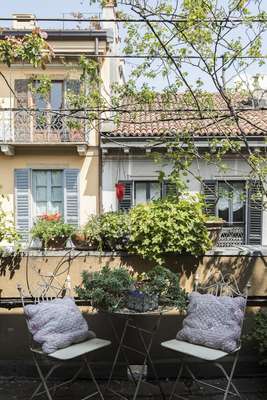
(128, 158)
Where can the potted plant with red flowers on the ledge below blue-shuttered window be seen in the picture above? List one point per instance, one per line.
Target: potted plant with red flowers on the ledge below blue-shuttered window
(51, 230)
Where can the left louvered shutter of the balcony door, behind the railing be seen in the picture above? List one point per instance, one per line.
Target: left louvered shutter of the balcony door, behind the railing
(22, 118)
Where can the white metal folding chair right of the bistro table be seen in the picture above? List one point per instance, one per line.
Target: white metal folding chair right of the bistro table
(226, 285)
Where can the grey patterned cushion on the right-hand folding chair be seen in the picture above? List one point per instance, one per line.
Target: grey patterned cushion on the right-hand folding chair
(213, 321)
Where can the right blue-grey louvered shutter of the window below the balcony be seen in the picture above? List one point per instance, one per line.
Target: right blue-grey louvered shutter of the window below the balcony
(71, 197)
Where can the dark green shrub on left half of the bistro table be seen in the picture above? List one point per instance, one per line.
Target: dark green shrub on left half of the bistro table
(106, 289)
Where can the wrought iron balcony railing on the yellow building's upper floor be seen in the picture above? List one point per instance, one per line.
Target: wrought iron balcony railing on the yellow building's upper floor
(46, 126)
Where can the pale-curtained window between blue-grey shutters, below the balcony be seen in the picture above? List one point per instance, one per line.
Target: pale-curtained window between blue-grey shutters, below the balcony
(48, 193)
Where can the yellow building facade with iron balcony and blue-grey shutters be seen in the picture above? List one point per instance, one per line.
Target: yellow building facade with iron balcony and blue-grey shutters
(48, 165)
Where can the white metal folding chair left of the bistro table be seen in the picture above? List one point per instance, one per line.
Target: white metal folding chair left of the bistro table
(50, 288)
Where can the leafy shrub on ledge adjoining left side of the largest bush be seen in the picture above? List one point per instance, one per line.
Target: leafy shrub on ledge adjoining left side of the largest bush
(114, 230)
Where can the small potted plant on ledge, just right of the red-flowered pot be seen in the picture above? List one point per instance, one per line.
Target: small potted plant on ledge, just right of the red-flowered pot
(88, 237)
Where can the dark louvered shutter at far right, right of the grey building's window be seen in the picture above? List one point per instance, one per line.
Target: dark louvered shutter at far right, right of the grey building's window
(254, 223)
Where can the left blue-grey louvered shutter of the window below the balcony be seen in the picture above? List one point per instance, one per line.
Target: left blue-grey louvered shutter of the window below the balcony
(22, 202)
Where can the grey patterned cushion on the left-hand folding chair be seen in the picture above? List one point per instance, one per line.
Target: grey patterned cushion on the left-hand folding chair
(57, 324)
